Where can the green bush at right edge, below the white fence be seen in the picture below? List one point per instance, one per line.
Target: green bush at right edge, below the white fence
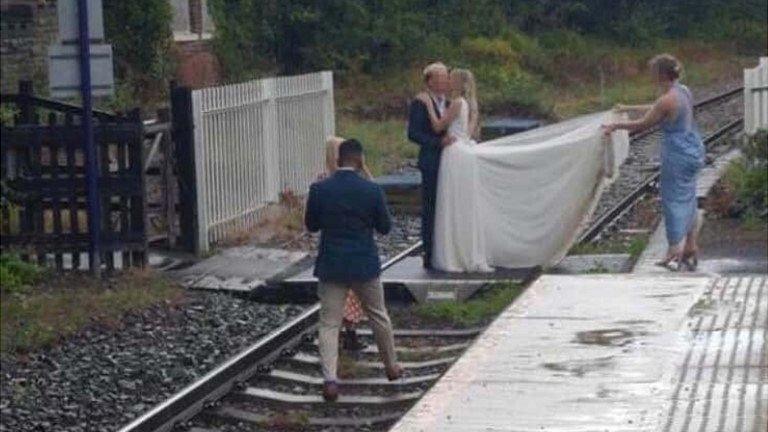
(747, 181)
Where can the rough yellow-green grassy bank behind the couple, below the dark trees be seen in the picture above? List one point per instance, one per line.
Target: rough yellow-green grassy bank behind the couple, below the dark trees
(551, 80)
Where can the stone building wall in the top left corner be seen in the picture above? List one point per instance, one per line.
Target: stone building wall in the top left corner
(27, 28)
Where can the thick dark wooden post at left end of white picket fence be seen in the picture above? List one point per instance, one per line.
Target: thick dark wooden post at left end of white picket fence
(182, 131)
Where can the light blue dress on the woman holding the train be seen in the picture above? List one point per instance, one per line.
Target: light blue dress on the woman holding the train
(682, 156)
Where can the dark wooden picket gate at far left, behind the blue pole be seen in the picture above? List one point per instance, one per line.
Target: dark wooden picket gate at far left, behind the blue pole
(44, 213)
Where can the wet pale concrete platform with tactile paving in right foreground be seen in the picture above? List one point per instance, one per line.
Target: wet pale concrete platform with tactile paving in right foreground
(612, 353)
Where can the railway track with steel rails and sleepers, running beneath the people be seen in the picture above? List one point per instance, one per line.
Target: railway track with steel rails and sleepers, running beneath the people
(275, 383)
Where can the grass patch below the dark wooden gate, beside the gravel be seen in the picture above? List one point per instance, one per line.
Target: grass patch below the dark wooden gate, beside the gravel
(58, 306)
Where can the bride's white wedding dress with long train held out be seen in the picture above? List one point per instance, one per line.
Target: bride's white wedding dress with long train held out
(521, 200)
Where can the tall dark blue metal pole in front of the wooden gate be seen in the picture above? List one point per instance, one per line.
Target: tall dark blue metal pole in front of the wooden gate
(92, 168)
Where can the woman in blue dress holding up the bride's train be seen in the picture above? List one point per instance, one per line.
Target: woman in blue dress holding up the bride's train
(682, 156)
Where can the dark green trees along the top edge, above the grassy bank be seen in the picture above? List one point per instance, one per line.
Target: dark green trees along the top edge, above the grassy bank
(383, 35)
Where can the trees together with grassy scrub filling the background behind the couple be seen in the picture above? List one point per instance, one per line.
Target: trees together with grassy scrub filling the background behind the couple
(523, 52)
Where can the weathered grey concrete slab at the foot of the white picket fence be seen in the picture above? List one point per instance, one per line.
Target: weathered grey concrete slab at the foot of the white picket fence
(242, 268)
